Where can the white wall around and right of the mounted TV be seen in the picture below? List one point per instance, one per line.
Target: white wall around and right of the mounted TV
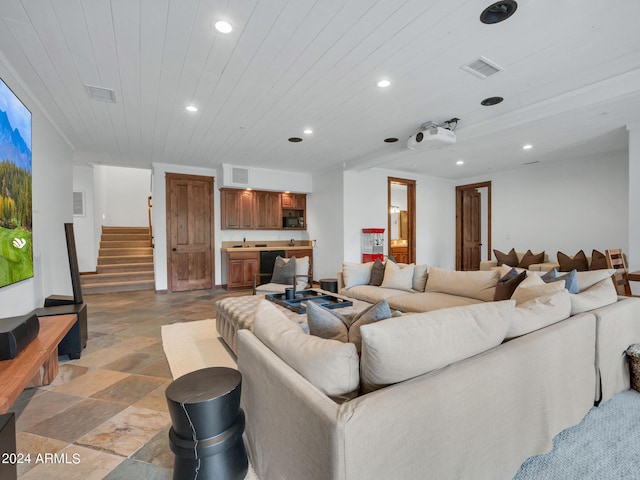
(52, 207)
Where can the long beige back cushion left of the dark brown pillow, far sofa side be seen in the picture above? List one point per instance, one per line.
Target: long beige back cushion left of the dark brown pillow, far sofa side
(479, 284)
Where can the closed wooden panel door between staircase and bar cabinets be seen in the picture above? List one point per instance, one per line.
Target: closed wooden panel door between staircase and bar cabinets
(189, 232)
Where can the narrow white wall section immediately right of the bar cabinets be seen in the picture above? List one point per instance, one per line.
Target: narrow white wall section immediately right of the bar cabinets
(325, 219)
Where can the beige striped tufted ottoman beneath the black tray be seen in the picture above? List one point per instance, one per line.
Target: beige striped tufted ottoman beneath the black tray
(236, 313)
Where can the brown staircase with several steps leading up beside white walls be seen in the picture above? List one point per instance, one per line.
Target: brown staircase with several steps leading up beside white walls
(125, 262)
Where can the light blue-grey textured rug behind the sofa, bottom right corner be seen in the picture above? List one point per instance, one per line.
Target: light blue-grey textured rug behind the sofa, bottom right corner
(604, 446)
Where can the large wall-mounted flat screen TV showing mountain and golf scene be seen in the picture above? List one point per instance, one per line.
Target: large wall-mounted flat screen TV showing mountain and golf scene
(16, 251)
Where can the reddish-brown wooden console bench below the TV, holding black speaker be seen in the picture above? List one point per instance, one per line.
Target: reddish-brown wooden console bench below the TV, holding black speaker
(37, 364)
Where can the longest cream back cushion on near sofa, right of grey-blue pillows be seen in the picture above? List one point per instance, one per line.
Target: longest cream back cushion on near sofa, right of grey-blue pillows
(397, 349)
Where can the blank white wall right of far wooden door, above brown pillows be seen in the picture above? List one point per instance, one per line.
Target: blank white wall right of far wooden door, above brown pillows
(578, 204)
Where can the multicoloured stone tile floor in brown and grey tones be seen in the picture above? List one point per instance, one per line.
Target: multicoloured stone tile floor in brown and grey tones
(105, 415)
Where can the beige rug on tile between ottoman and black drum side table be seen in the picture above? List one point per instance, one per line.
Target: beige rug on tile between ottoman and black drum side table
(191, 346)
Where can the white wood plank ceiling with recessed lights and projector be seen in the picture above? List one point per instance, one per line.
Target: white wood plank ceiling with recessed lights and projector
(570, 79)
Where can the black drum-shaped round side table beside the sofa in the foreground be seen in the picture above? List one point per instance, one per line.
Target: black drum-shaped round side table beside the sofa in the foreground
(207, 425)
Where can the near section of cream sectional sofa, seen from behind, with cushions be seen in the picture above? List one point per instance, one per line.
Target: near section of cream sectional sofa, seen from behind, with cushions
(461, 403)
